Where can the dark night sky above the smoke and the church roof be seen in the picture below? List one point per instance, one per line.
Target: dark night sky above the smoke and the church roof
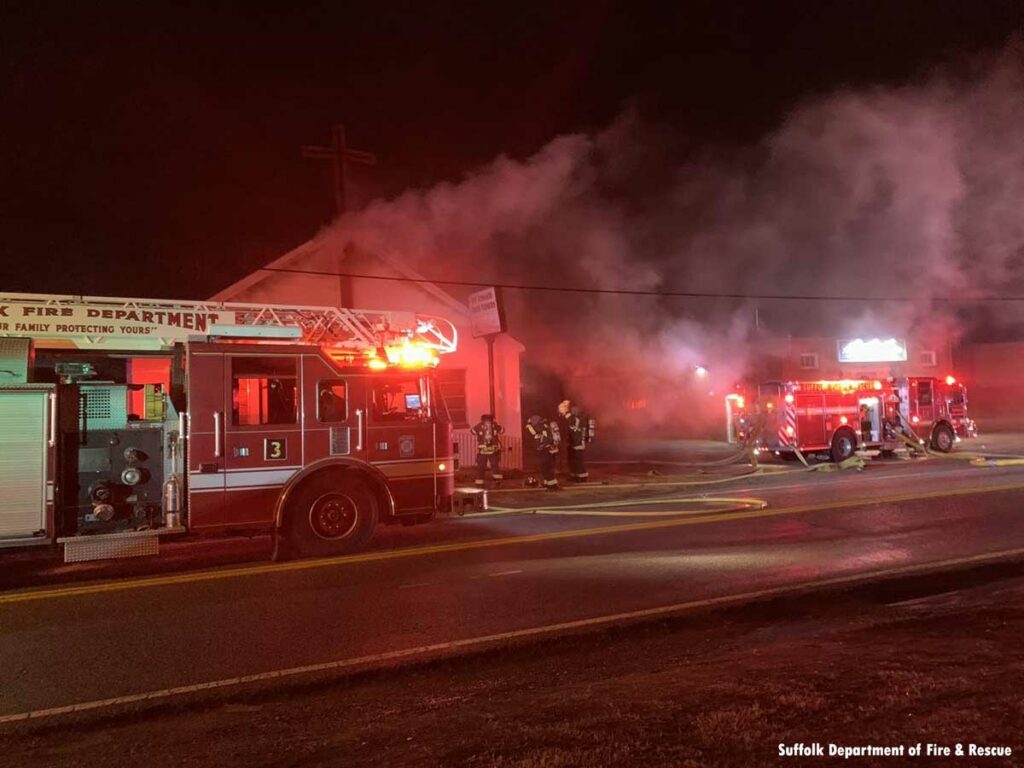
(157, 153)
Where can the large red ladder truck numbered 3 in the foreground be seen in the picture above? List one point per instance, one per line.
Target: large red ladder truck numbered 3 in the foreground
(122, 420)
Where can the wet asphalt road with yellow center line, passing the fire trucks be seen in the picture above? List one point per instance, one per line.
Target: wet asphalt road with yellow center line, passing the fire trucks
(509, 573)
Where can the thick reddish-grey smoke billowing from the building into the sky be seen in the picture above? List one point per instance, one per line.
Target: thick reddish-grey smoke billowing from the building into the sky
(914, 192)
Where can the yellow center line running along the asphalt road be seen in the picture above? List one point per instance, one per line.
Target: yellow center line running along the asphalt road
(233, 573)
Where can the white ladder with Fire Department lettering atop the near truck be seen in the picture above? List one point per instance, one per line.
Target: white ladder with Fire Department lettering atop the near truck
(103, 323)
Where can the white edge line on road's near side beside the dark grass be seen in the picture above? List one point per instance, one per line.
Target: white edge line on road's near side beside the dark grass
(499, 637)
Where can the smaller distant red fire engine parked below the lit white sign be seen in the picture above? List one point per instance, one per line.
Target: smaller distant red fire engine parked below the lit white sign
(840, 417)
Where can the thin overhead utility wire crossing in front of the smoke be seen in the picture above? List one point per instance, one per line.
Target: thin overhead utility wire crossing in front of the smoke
(637, 292)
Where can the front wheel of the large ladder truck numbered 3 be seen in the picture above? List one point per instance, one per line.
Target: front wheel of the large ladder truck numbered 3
(331, 514)
